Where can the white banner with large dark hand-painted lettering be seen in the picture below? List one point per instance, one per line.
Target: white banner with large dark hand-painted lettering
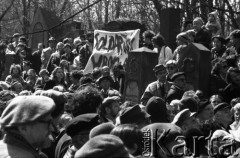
(111, 47)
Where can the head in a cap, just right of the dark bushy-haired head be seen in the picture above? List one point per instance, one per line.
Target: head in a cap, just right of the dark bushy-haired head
(110, 108)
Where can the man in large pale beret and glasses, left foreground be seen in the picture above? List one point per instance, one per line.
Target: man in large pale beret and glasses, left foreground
(27, 124)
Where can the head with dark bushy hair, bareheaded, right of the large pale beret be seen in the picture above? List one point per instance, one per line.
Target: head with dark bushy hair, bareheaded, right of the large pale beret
(86, 100)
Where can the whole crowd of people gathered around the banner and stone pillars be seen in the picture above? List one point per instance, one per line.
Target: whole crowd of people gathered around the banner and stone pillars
(50, 108)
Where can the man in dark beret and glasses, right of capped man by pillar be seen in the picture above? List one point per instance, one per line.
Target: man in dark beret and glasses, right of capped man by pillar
(176, 91)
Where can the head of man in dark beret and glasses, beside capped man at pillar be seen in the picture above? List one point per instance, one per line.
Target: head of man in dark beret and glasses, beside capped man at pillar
(179, 79)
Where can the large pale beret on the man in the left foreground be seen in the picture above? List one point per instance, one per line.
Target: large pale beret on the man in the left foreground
(26, 109)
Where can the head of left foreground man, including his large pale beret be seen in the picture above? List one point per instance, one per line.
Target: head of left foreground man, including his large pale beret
(30, 117)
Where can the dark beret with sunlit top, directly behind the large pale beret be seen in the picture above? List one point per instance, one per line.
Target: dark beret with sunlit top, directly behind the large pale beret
(59, 99)
